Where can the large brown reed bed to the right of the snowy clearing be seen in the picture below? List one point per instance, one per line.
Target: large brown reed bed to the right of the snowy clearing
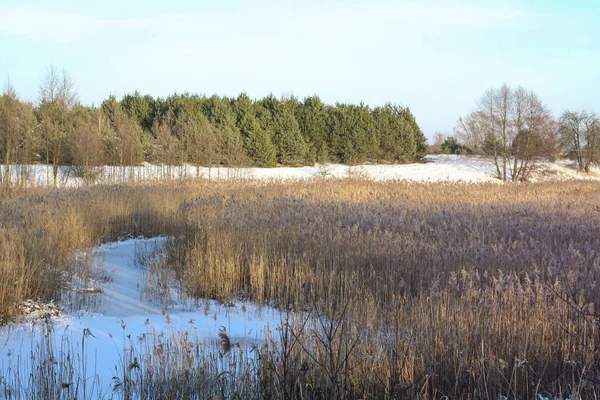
(451, 290)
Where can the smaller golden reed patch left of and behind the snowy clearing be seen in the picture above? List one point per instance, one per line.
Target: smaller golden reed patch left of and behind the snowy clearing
(42, 229)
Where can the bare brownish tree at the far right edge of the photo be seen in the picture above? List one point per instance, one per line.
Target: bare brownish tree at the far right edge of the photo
(579, 133)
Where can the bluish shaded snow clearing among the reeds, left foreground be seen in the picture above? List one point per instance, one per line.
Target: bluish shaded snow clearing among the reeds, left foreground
(124, 320)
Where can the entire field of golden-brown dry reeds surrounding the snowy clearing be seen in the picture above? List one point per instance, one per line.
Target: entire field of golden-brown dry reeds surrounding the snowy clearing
(408, 290)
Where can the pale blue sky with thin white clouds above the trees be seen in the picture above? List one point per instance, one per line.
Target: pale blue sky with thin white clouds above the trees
(436, 57)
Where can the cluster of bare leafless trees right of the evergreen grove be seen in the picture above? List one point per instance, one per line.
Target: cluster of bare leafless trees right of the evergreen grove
(516, 130)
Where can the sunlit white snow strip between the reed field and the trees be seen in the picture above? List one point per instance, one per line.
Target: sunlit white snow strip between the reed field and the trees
(438, 168)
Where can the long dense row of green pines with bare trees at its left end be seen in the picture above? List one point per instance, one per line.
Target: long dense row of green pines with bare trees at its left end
(199, 130)
